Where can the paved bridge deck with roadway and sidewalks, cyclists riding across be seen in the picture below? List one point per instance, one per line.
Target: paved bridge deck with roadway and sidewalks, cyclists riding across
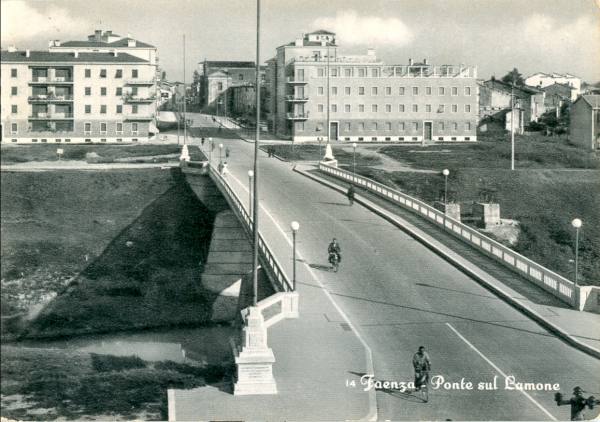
(401, 284)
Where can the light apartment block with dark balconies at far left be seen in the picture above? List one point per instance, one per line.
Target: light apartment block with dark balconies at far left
(76, 97)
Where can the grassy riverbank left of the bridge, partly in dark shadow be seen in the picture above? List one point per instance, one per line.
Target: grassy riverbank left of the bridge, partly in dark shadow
(128, 243)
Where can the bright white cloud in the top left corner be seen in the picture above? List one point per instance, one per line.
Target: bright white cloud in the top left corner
(21, 21)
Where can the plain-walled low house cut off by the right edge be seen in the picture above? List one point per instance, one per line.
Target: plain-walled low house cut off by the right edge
(585, 122)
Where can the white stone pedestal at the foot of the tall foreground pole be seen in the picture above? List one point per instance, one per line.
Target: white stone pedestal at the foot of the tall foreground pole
(254, 358)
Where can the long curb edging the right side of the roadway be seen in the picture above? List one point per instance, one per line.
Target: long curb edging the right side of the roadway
(556, 330)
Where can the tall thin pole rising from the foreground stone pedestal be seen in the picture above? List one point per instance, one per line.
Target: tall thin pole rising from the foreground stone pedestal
(255, 189)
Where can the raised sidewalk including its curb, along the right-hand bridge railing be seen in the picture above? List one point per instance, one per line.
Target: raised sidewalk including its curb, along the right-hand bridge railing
(579, 329)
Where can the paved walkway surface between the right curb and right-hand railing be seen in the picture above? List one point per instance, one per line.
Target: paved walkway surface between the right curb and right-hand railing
(583, 326)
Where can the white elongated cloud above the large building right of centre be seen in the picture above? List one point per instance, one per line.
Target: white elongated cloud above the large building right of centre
(354, 29)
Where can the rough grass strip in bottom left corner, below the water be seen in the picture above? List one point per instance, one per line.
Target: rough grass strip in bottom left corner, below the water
(46, 384)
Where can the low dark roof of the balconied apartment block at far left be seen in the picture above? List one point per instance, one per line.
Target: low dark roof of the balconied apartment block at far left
(54, 57)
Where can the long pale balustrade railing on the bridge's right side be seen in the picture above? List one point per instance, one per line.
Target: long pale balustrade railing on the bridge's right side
(559, 286)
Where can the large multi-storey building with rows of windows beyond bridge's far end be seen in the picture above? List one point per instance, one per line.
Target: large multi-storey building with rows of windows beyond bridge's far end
(362, 99)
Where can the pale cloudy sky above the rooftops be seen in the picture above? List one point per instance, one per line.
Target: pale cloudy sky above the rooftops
(495, 35)
